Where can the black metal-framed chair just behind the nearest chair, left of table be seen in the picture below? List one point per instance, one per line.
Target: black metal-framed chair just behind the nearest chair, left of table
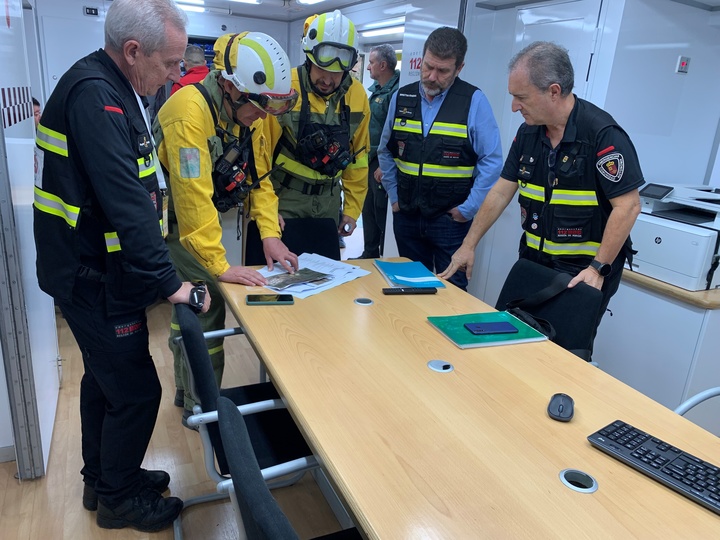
(277, 443)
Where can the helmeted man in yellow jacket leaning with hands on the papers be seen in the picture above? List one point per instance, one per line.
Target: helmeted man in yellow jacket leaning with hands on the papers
(205, 134)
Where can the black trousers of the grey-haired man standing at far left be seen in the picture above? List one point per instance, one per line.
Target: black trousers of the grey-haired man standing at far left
(119, 392)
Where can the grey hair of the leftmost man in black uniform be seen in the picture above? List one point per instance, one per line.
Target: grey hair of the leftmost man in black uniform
(143, 21)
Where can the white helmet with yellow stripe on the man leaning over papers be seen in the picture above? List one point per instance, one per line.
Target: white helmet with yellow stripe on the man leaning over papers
(257, 66)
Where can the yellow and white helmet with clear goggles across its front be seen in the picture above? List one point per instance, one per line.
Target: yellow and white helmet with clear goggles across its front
(330, 41)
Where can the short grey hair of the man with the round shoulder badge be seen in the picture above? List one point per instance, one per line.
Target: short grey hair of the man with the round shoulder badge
(547, 63)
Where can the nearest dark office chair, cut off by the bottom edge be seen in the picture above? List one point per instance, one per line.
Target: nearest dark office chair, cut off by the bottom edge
(257, 513)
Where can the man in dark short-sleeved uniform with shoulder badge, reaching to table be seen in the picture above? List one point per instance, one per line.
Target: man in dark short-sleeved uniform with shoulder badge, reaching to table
(577, 172)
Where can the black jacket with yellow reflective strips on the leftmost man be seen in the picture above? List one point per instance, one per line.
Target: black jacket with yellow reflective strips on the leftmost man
(98, 207)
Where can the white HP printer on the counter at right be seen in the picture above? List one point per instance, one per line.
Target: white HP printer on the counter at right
(676, 235)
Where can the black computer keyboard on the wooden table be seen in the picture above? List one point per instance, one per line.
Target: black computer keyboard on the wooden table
(698, 480)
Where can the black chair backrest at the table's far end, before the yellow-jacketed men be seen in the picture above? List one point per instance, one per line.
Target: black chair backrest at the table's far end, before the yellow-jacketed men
(301, 235)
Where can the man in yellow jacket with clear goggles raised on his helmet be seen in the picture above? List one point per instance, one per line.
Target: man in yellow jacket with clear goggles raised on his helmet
(320, 148)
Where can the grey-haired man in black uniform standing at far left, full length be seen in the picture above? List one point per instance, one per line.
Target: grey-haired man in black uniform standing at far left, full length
(98, 217)
